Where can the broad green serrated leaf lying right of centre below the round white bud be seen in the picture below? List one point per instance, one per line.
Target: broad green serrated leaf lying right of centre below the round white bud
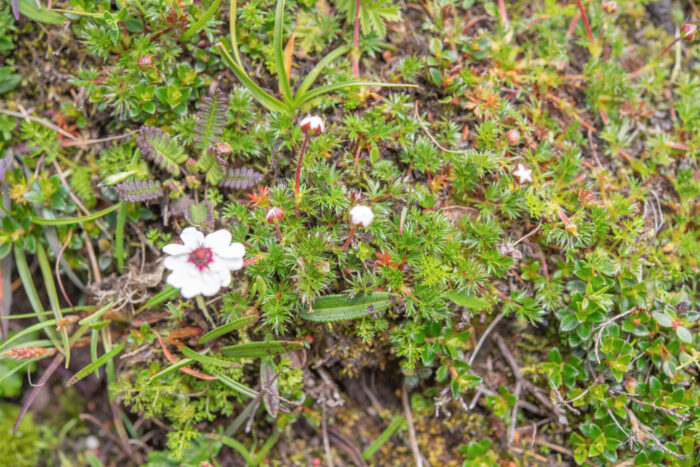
(339, 307)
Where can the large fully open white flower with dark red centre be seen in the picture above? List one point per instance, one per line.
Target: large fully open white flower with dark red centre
(202, 265)
